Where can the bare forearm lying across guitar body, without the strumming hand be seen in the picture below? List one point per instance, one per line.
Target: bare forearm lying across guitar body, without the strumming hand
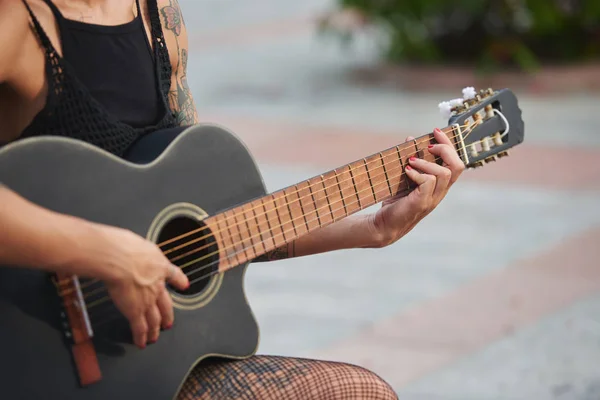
(34, 237)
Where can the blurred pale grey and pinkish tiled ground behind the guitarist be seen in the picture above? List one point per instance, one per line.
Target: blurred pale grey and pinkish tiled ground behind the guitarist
(495, 296)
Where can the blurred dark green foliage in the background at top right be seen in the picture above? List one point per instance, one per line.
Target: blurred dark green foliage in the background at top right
(488, 33)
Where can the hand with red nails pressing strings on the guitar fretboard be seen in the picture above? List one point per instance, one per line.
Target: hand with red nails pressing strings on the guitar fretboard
(398, 216)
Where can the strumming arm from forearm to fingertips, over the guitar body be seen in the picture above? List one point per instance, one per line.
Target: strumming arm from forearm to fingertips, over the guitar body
(134, 269)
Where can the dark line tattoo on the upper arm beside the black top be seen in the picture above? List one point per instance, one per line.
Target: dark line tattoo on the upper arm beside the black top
(180, 96)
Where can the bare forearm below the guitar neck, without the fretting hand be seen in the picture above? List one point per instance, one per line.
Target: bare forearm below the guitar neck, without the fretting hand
(348, 233)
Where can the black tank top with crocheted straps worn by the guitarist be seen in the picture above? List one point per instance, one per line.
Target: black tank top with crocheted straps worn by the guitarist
(109, 88)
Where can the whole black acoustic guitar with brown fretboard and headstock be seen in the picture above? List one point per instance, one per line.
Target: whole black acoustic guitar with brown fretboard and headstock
(199, 195)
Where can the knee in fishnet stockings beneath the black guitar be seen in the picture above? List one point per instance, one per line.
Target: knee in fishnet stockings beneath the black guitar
(283, 378)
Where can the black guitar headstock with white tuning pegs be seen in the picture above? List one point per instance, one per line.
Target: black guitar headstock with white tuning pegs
(489, 121)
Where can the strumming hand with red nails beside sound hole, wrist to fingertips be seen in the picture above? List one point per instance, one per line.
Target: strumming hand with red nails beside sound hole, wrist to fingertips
(137, 283)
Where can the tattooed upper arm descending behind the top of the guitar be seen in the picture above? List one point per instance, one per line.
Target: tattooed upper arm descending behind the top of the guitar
(175, 32)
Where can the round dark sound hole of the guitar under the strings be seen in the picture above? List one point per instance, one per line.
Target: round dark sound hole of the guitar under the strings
(191, 246)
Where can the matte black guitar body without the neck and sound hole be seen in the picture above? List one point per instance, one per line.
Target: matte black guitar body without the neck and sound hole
(202, 169)
